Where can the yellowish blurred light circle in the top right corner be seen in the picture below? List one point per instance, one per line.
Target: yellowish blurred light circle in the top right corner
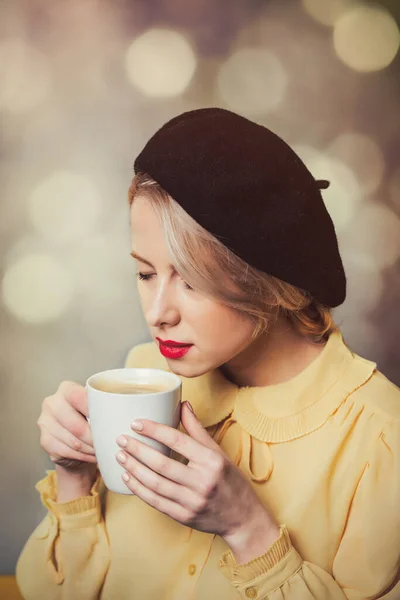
(366, 38)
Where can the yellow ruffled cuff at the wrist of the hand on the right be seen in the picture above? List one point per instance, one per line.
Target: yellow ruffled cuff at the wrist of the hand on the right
(265, 573)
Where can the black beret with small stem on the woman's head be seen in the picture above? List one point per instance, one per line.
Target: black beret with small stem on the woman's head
(247, 187)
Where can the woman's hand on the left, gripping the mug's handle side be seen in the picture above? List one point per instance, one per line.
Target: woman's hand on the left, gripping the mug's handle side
(64, 431)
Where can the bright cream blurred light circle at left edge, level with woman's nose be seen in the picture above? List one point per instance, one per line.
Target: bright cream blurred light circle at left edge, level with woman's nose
(36, 289)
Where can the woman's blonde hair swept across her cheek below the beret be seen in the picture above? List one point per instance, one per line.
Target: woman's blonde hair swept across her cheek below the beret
(208, 266)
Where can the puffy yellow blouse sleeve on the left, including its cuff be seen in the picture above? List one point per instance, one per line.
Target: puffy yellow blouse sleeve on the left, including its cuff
(67, 556)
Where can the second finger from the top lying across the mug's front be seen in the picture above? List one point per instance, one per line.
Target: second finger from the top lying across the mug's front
(180, 474)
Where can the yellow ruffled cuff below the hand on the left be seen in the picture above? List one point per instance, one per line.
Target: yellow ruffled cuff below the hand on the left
(82, 512)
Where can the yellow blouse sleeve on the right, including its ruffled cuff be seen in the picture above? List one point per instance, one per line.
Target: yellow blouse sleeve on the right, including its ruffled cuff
(367, 562)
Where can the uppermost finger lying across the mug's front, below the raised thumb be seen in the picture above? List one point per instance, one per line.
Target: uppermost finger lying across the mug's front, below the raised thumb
(177, 440)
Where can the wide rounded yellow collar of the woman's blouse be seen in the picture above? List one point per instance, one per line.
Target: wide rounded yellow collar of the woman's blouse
(280, 412)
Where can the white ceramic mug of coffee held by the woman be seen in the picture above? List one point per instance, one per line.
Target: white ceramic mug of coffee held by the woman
(110, 415)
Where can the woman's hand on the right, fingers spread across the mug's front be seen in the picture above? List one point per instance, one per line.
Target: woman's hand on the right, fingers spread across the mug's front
(210, 493)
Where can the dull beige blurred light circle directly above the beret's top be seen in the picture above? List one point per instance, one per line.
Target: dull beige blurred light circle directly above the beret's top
(252, 81)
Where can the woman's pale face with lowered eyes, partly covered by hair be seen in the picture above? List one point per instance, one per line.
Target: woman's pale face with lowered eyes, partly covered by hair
(175, 312)
